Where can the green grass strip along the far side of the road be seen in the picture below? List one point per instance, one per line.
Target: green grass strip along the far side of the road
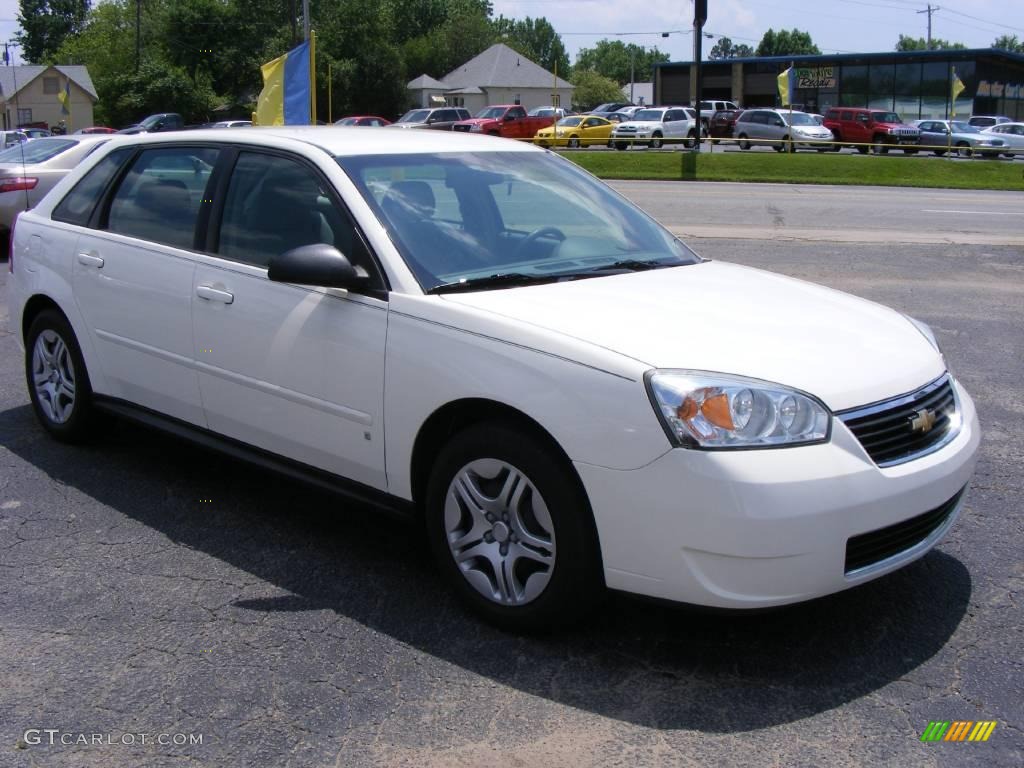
(804, 168)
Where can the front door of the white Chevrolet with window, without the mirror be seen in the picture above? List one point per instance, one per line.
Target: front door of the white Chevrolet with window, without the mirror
(295, 370)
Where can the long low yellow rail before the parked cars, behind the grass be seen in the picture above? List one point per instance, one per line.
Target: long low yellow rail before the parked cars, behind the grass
(783, 146)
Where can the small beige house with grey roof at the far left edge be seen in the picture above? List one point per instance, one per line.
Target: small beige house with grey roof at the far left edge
(30, 95)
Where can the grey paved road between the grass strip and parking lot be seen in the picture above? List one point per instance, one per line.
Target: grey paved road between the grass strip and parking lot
(844, 215)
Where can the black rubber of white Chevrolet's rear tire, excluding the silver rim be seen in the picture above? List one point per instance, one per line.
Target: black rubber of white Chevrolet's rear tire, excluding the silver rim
(79, 418)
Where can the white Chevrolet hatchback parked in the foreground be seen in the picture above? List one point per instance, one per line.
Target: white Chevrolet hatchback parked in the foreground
(479, 333)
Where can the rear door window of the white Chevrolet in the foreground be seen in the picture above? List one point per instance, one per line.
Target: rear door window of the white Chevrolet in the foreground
(160, 198)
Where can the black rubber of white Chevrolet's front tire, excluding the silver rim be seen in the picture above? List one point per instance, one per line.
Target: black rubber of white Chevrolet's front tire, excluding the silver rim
(575, 582)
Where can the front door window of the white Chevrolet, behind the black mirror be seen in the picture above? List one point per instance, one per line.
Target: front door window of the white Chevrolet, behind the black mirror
(276, 204)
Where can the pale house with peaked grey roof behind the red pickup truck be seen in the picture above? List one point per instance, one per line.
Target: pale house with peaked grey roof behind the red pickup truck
(499, 76)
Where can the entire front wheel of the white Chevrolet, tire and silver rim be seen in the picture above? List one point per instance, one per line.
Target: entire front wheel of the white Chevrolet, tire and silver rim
(511, 529)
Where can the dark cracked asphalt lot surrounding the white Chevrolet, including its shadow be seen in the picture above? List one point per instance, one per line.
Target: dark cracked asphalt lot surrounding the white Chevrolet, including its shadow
(149, 589)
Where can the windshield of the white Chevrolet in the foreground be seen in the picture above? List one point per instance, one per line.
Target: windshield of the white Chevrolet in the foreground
(472, 217)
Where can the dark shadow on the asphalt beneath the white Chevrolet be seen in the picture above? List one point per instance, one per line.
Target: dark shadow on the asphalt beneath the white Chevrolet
(656, 666)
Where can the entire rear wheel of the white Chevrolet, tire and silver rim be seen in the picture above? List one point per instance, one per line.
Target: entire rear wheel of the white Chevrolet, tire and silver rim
(59, 383)
